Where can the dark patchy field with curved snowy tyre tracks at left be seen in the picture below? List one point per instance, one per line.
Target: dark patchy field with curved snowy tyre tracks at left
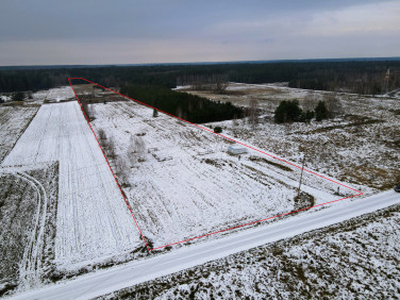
(28, 201)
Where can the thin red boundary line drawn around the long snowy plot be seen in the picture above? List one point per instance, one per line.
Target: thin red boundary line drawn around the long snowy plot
(359, 193)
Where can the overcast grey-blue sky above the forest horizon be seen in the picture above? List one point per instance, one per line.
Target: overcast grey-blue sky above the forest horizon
(43, 32)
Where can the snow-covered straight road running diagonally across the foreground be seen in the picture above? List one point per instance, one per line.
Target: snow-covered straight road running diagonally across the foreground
(105, 281)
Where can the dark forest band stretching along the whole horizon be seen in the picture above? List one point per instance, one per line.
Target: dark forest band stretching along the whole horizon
(367, 77)
